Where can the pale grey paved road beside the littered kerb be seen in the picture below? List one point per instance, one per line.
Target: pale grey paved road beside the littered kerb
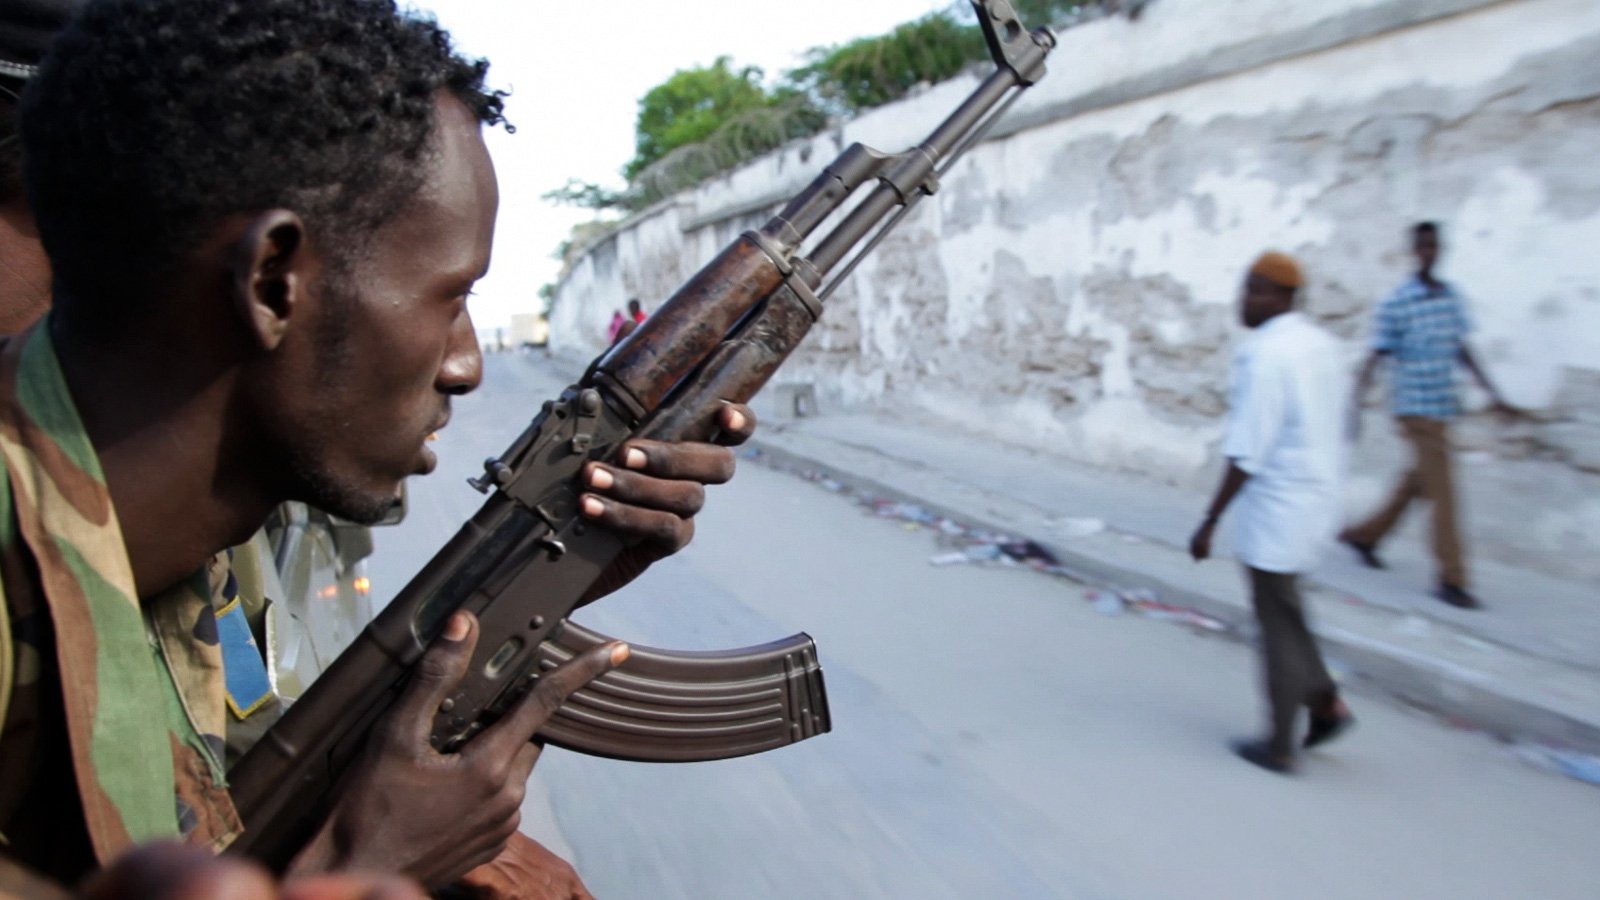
(994, 736)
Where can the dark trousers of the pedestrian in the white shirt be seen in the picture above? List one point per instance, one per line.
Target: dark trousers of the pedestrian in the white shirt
(1295, 673)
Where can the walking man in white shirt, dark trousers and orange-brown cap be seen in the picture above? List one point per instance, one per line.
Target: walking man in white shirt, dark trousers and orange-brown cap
(1286, 457)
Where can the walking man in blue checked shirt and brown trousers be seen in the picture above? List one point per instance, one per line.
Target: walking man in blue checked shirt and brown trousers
(1423, 334)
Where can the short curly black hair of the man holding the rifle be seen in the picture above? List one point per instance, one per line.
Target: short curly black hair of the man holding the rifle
(151, 121)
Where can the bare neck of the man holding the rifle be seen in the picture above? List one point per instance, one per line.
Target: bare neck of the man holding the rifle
(159, 420)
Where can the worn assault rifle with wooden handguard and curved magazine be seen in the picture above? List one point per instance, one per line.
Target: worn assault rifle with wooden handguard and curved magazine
(527, 558)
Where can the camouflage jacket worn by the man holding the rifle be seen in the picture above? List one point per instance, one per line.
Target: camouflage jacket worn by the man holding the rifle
(113, 710)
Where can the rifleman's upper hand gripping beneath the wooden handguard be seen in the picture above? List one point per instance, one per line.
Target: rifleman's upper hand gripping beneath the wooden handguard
(654, 497)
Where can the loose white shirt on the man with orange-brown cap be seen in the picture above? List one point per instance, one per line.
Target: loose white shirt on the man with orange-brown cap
(1286, 428)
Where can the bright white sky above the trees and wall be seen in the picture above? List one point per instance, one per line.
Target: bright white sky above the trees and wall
(577, 73)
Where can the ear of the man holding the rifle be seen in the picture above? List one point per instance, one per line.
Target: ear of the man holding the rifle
(271, 275)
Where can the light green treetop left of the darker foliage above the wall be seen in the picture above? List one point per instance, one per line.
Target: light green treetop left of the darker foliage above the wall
(690, 106)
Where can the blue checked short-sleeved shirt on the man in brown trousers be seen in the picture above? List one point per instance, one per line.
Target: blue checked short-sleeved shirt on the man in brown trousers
(1422, 329)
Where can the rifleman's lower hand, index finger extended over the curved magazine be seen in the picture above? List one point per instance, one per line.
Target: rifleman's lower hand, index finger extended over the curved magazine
(436, 816)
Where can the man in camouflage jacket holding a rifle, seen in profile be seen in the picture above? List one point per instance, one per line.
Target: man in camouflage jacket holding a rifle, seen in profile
(265, 220)
